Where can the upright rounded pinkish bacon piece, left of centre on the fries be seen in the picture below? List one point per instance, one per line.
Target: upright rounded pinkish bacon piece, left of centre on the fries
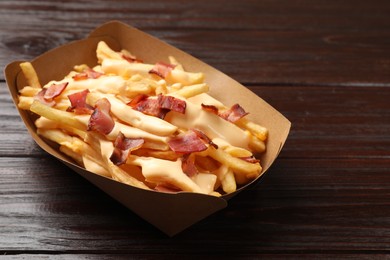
(101, 120)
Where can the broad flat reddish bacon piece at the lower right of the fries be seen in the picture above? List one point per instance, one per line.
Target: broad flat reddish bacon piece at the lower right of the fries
(187, 143)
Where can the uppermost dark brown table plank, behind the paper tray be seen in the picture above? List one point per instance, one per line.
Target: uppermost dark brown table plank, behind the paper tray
(268, 42)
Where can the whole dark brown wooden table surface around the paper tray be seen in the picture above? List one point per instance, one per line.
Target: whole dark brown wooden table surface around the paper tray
(324, 64)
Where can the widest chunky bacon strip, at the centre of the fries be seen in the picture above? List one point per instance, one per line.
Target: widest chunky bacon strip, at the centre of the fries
(157, 107)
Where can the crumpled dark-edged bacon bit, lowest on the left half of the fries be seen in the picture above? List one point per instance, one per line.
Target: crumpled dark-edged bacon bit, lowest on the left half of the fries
(123, 146)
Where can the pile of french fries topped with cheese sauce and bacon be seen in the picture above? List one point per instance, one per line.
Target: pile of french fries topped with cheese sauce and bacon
(152, 126)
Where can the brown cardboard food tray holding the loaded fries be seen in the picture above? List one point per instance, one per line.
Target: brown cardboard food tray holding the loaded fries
(171, 213)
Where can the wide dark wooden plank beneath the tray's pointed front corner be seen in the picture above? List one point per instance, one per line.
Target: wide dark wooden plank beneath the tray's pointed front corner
(316, 204)
